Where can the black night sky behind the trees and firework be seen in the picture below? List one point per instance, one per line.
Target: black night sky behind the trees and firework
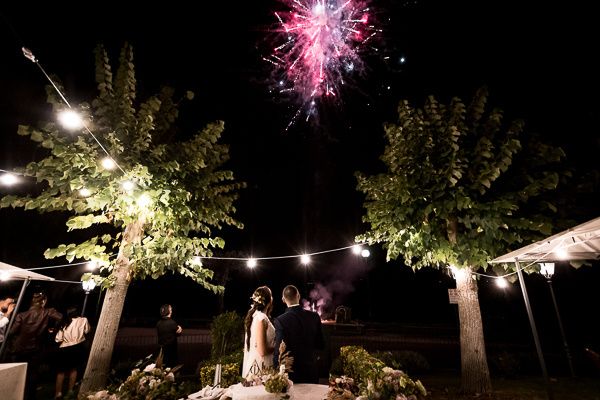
(538, 62)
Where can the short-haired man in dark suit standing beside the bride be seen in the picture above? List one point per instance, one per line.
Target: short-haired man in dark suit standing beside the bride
(301, 331)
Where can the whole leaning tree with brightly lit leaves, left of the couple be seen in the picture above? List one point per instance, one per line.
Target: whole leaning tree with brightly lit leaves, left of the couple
(157, 210)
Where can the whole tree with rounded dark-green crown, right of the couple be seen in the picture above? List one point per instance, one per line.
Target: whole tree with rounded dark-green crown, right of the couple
(459, 188)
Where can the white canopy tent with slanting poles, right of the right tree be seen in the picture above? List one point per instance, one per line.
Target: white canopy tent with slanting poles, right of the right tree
(580, 243)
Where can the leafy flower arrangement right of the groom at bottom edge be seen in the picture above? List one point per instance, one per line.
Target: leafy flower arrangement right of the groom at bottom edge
(373, 379)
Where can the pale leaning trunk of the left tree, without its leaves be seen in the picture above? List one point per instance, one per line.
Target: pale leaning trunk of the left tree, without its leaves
(98, 364)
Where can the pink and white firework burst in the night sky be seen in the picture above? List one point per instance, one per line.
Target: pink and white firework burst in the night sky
(322, 43)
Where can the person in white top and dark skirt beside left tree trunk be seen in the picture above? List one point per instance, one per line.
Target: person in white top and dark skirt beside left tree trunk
(72, 350)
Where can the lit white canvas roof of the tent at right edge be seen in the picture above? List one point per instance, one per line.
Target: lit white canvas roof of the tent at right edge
(581, 242)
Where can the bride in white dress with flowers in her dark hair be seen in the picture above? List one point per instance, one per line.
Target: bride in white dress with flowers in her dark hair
(259, 340)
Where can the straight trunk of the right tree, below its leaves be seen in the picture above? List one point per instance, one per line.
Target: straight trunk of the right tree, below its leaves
(475, 375)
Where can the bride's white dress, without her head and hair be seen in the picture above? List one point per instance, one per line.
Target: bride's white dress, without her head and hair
(254, 363)
